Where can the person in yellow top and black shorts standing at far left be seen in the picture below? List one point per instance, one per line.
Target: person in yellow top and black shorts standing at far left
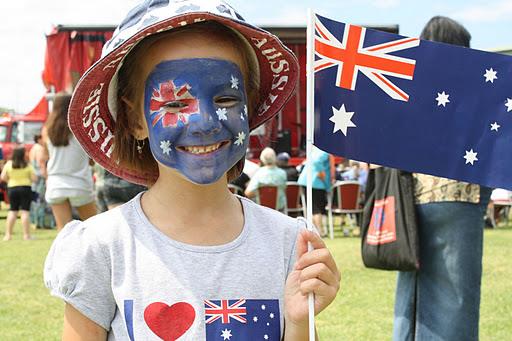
(19, 175)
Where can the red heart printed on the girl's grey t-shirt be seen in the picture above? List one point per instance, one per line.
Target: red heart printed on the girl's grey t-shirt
(169, 322)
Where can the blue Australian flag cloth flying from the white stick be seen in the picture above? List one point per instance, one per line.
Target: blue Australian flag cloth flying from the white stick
(415, 105)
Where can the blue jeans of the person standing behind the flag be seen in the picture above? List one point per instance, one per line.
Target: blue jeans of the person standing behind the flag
(441, 301)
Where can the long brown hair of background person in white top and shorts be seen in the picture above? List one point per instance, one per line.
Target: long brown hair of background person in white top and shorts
(57, 123)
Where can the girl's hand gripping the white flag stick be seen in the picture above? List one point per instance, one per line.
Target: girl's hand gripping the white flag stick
(315, 272)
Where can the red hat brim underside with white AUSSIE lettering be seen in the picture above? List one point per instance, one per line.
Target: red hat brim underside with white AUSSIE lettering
(93, 124)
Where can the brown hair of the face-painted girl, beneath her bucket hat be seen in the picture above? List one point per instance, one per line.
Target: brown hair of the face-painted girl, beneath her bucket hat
(130, 95)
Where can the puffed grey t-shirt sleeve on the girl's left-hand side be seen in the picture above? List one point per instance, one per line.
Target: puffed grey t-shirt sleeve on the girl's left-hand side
(77, 270)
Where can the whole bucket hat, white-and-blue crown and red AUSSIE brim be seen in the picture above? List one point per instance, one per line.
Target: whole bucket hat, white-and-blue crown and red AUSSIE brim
(93, 107)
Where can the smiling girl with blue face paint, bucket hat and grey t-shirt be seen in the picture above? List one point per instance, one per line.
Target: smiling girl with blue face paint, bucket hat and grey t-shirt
(171, 104)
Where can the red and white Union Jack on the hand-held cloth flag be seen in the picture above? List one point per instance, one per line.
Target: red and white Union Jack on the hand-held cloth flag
(350, 56)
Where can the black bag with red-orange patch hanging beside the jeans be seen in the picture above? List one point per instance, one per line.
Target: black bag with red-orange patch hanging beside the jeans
(389, 230)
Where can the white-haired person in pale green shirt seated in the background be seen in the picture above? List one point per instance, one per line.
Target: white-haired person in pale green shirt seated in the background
(268, 175)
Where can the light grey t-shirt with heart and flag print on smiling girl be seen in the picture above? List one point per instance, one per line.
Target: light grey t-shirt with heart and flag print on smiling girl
(127, 276)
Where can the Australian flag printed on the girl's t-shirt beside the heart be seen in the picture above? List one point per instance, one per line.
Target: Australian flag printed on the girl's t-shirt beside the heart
(242, 319)
